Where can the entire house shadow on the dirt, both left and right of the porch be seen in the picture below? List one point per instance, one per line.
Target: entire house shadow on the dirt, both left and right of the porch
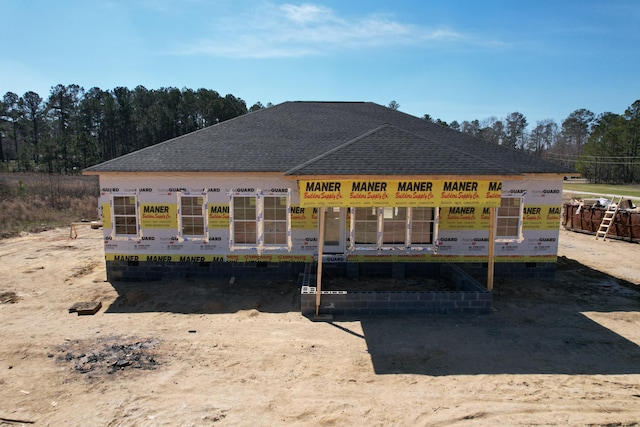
(537, 326)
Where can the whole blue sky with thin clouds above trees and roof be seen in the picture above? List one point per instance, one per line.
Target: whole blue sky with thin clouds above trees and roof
(454, 60)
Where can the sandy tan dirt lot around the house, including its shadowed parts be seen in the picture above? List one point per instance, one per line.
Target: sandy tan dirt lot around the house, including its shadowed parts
(555, 352)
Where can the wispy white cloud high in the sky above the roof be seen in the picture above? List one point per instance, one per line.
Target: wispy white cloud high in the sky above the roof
(291, 30)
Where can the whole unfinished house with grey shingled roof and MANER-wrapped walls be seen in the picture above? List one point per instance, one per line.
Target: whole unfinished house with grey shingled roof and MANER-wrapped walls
(396, 189)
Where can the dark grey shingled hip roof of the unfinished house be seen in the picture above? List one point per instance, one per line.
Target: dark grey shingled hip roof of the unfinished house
(329, 138)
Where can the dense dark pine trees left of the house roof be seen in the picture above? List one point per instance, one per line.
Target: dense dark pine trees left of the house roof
(75, 128)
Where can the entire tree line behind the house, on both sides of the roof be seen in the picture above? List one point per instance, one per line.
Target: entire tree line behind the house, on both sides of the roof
(75, 128)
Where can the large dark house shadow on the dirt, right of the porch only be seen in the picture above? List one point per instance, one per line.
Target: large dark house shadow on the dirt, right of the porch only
(537, 327)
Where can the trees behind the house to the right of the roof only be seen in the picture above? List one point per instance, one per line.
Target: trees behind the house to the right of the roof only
(604, 148)
